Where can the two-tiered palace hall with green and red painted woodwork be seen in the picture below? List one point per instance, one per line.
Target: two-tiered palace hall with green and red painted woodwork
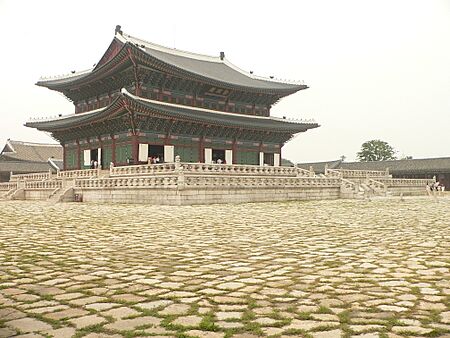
(142, 100)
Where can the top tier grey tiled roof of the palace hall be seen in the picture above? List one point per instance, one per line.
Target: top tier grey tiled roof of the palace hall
(215, 69)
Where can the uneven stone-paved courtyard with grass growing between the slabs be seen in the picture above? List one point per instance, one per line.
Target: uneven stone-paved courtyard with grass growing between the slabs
(321, 269)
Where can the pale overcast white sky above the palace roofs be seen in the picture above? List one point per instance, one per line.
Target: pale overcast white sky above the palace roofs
(376, 69)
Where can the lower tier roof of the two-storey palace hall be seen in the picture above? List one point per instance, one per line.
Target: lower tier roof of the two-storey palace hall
(171, 111)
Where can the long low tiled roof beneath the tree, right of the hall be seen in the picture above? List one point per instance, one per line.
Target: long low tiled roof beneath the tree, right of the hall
(423, 165)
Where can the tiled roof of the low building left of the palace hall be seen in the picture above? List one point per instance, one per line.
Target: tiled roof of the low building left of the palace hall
(30, 152)
